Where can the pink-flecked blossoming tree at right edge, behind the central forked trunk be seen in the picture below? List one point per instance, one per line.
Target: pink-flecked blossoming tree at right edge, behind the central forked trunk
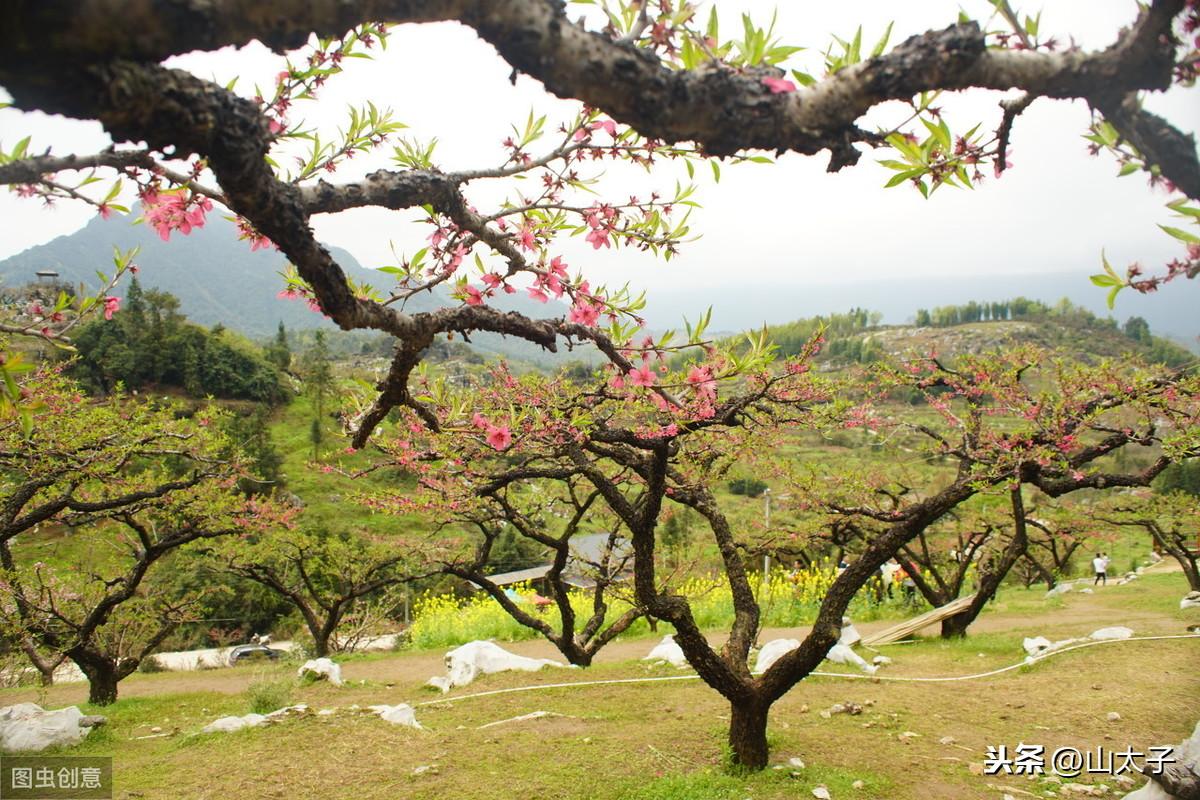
(1001, 423)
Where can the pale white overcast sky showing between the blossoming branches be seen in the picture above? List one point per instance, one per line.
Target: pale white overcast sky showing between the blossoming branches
(785, 225)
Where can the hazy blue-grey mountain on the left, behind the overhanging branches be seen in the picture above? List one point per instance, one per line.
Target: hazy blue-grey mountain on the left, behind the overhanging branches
(220, 281)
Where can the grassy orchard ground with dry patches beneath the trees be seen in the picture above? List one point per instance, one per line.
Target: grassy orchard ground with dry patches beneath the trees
(664, 741)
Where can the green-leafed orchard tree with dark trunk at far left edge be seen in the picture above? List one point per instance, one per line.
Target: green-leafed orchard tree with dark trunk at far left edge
(127, 484)
